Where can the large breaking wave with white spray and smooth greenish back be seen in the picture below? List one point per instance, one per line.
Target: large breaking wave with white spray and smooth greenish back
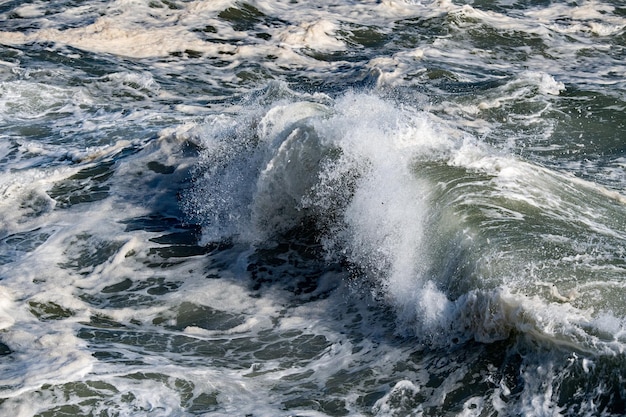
(420, 215)
